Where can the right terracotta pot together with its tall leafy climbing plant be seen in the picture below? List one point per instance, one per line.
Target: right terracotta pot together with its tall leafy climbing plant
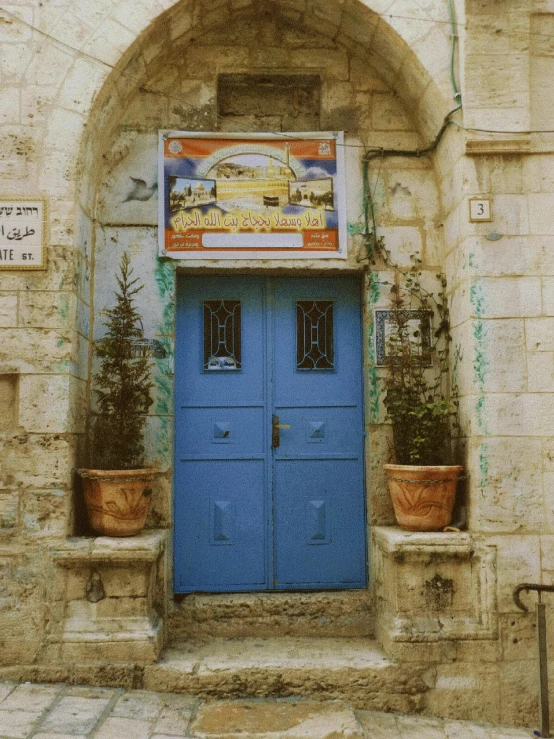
(423, 413)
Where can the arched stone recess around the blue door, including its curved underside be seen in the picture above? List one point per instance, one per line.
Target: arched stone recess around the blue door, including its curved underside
(245, 68)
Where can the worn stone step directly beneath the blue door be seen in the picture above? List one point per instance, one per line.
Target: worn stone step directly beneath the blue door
(232, 615)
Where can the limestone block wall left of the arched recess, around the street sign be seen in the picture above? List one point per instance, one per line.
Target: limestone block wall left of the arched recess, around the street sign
(43, 348)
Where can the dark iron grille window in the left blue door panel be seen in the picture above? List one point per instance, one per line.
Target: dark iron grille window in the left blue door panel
(222, 335)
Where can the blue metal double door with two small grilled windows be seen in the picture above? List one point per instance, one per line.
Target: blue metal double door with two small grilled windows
(269, 474)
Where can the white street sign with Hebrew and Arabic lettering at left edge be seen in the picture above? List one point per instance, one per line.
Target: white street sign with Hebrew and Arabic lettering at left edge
(22, 229)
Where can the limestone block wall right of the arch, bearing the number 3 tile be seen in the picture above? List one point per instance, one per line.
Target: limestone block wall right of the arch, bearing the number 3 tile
(501, 317)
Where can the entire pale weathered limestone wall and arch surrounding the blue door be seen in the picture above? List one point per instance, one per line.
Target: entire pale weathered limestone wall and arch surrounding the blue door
(85, 87)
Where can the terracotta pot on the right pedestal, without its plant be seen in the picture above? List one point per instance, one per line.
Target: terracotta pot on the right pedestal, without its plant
(423, 497)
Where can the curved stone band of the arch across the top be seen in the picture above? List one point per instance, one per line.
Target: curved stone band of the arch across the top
(409, 51)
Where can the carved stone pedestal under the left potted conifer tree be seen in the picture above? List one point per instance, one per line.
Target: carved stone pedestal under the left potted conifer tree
(114, 604)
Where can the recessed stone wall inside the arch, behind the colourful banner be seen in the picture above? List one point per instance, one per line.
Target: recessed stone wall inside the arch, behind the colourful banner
(353, 97)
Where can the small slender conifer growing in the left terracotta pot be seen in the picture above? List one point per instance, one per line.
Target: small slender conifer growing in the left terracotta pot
(122, 385)
